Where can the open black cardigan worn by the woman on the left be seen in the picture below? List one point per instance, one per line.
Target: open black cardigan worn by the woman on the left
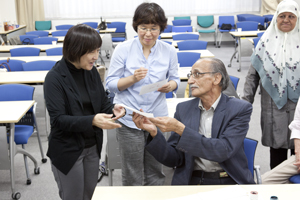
(68, 121)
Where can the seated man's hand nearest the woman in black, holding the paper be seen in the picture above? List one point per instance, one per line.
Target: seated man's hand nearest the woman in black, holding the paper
(144, 123)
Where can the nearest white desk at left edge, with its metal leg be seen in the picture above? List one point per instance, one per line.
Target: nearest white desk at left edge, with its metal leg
(12, 112)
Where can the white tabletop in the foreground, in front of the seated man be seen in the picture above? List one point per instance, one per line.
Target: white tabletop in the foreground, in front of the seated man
(283, 192)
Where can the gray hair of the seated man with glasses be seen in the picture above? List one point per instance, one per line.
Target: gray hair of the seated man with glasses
(216, 65)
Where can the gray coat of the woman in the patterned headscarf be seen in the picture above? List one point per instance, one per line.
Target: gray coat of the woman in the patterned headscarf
(274, 122)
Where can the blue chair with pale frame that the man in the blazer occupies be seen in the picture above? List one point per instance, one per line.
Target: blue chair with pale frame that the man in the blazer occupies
(250, 148)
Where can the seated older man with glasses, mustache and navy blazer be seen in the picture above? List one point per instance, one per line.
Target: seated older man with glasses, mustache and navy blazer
(206, 144)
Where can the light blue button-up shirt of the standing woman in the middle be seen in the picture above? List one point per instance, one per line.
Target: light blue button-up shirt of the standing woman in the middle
(162, 63)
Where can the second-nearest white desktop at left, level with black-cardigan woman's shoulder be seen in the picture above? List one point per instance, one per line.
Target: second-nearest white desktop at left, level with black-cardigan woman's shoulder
(23, 77)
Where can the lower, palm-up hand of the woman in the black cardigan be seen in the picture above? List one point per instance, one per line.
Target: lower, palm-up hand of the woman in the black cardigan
(105, 121)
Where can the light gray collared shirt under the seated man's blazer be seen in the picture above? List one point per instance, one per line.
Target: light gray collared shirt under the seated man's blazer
(205, 129)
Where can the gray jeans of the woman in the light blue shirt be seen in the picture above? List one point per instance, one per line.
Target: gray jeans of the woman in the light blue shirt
(139, 167)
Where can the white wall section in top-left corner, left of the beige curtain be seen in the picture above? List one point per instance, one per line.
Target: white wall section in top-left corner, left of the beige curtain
(8, 11)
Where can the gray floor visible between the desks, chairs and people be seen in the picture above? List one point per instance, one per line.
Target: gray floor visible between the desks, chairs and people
(43, 185)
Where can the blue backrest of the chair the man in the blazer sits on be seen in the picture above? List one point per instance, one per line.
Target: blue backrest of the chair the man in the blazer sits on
(250, 148)
